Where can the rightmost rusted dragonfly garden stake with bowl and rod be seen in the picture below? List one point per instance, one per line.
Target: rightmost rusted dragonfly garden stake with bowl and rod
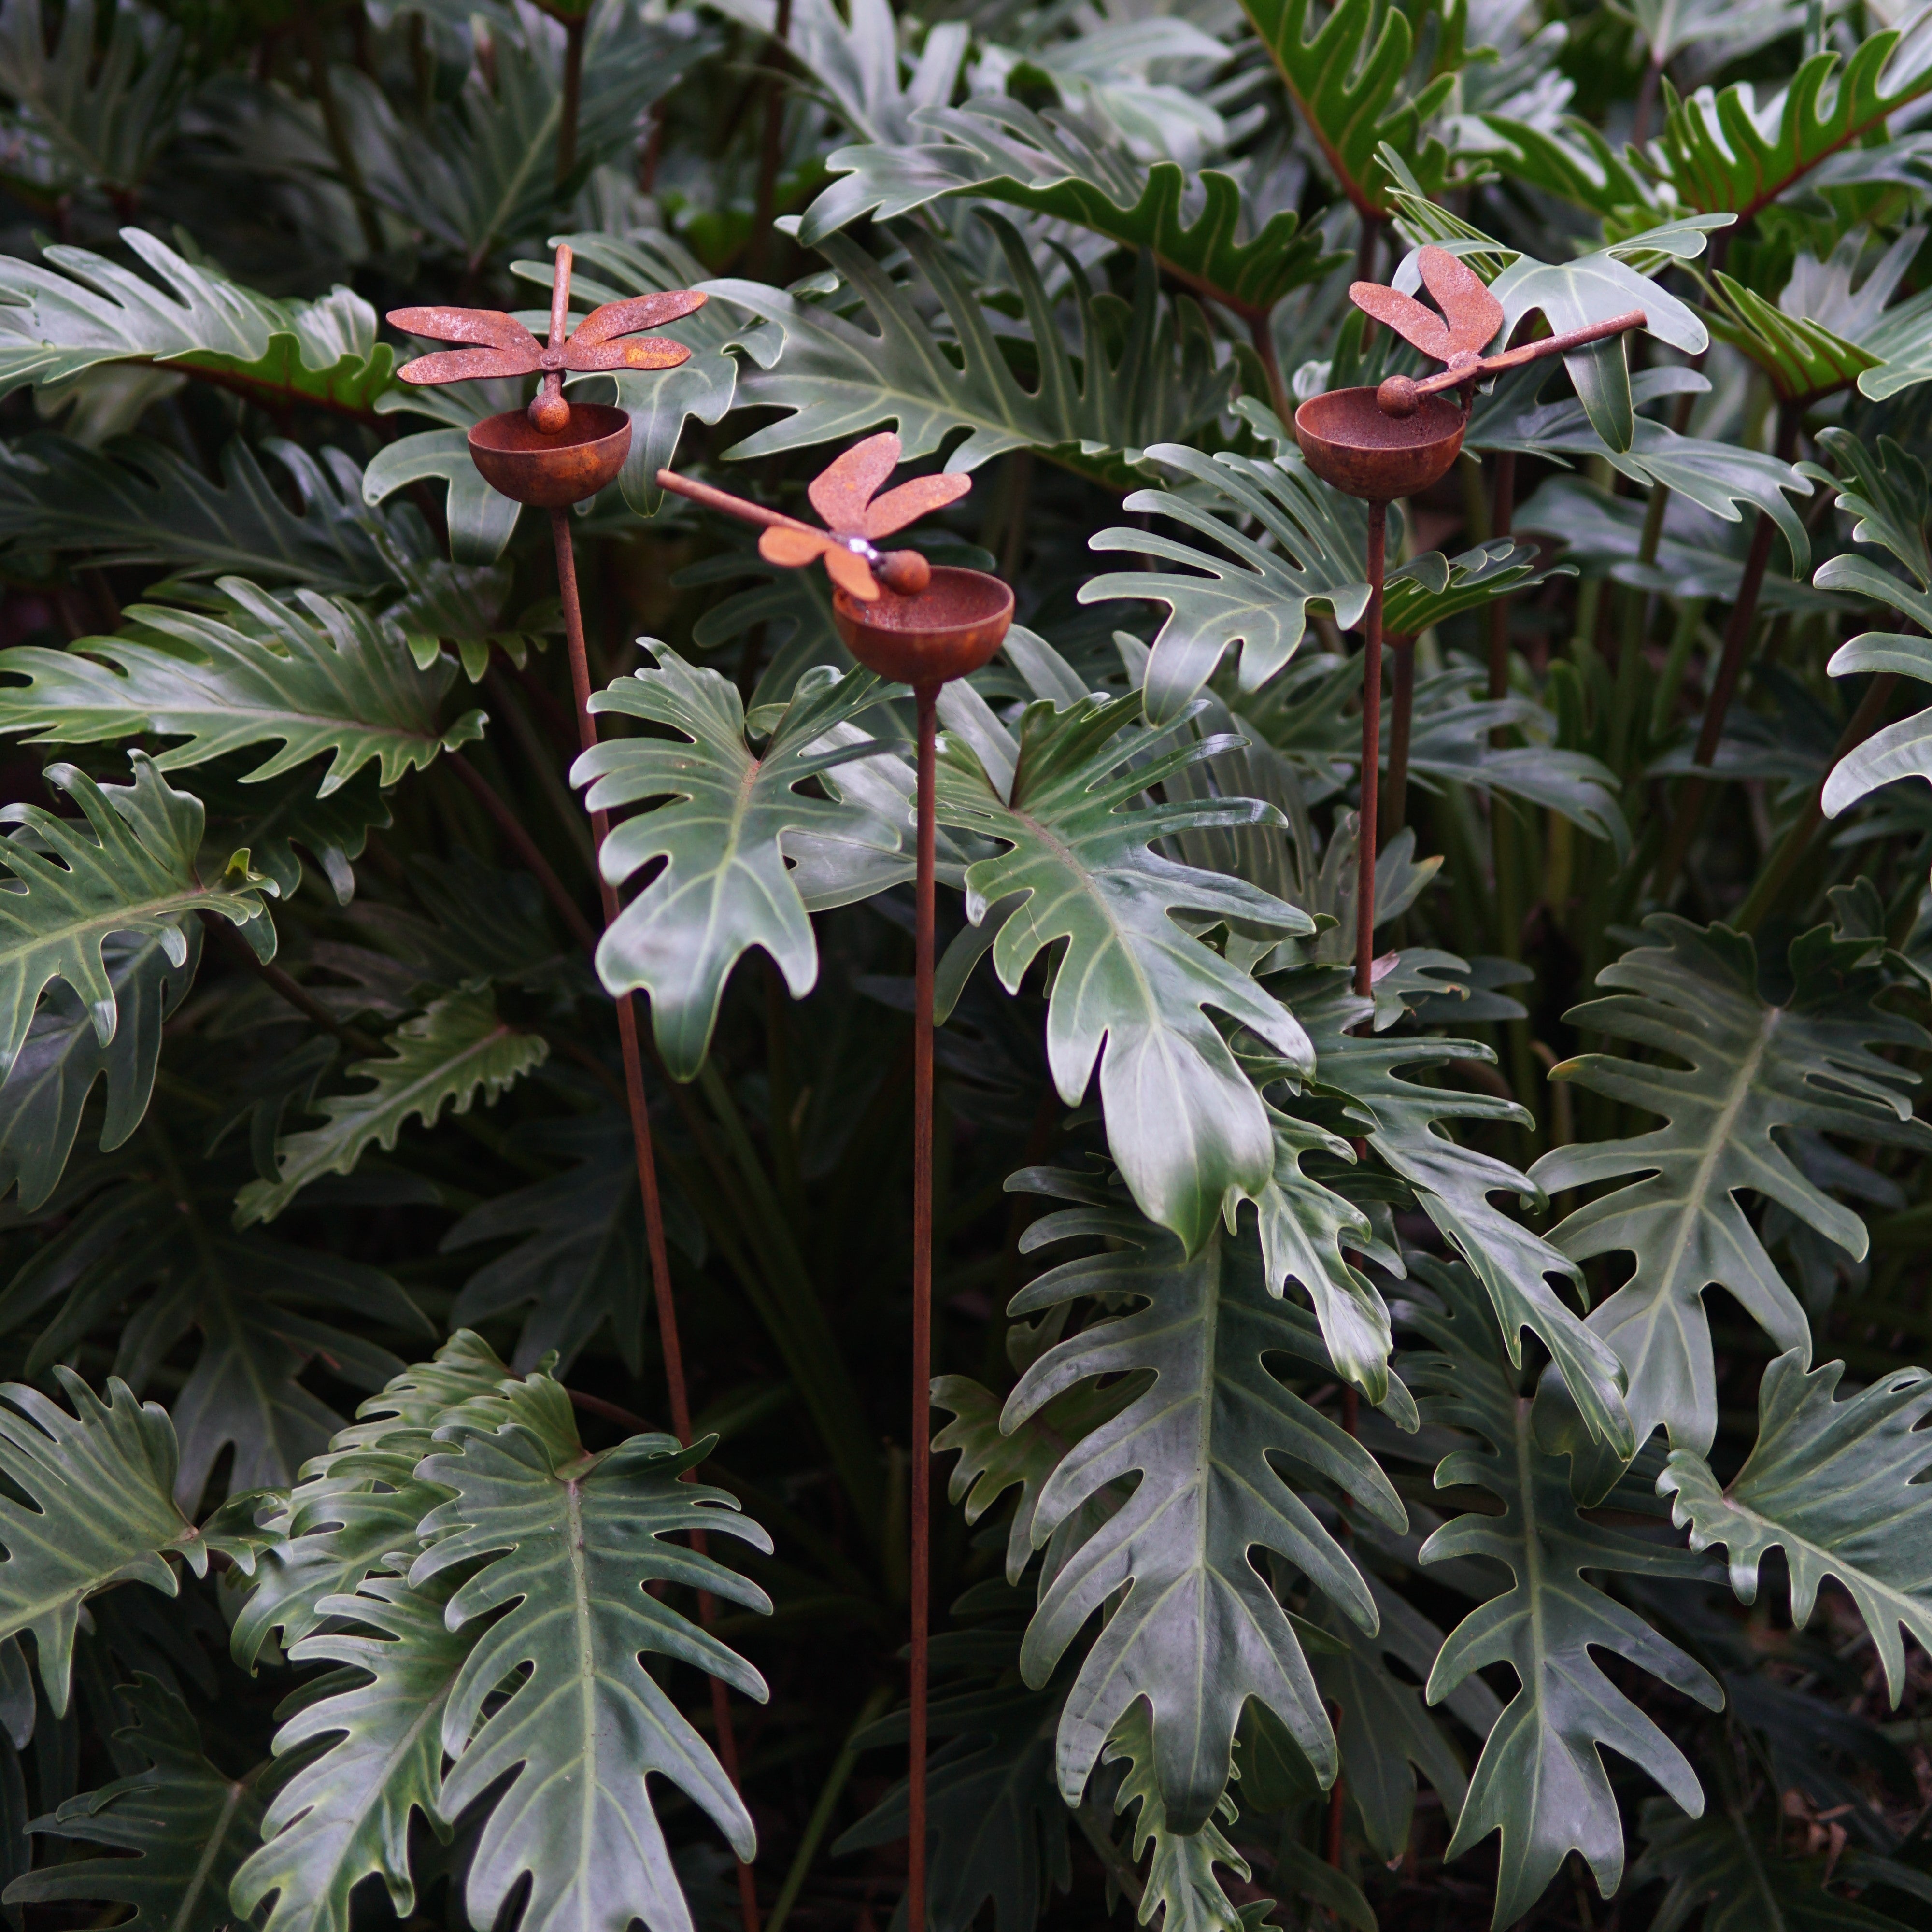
(1394, 441)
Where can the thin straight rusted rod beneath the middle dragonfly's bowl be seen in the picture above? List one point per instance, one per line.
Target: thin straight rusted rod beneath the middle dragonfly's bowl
(923, 1299)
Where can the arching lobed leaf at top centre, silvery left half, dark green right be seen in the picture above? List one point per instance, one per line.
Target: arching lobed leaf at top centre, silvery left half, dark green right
(1058, 165)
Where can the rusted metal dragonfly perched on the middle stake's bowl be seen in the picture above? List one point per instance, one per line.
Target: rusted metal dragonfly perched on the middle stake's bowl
(847, 496)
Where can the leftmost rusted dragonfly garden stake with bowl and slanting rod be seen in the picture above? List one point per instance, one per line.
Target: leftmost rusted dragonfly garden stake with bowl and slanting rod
(555, 455)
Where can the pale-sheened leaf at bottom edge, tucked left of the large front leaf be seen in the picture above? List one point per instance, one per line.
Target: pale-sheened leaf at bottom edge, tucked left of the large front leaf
(347, 1815)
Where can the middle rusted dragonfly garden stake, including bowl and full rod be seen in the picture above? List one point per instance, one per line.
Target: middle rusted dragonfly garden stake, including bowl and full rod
(919, 627)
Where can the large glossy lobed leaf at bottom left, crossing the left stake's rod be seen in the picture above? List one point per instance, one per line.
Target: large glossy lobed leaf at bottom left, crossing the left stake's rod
(567, 1545)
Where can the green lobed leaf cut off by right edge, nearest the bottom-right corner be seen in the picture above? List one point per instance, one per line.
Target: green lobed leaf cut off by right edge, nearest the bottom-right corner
(1833, 1485)
